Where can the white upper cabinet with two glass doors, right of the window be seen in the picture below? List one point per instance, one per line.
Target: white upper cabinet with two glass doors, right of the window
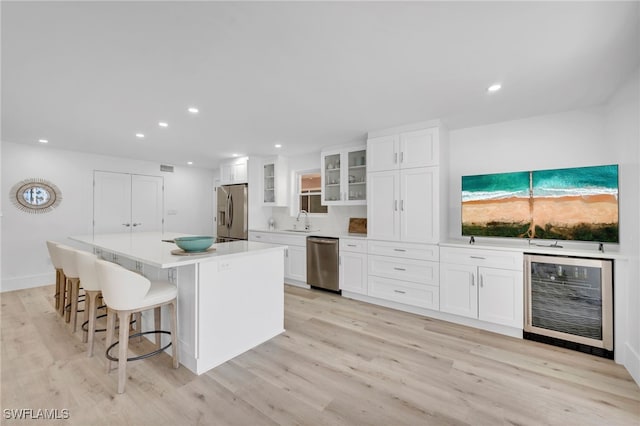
(344, 176)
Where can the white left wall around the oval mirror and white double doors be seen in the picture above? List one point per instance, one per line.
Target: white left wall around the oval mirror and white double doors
(25, 260)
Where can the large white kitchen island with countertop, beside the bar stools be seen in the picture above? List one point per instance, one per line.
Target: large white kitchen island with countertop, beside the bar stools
(230, 299)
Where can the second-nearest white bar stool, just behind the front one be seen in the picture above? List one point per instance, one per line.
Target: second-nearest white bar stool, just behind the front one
(86, 263)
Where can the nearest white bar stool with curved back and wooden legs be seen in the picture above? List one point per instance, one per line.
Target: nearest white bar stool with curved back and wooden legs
(126, 292)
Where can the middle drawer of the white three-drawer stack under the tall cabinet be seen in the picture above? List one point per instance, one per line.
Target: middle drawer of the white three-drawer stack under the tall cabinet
(418, 271)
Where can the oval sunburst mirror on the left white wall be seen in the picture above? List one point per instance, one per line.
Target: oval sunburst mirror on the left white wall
(35, 195)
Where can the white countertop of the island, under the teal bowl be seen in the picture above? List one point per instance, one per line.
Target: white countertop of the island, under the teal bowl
(148, 248)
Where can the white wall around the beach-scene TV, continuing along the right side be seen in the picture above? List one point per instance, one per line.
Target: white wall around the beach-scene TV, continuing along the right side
(604, 135)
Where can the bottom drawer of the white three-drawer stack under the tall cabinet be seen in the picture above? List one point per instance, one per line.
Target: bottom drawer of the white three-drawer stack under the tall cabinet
(423, 296)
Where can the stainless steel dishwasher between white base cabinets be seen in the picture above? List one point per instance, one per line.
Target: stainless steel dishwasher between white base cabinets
(322, 263)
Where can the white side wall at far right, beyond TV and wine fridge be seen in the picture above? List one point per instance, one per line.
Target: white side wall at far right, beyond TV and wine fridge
(622, 130)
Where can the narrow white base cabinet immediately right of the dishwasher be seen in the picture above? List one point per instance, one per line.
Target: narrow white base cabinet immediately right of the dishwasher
(353, 265)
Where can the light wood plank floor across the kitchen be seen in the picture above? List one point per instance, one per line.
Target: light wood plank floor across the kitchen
(340, 362)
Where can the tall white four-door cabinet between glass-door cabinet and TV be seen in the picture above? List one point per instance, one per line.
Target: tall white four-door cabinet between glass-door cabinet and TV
(405, 202)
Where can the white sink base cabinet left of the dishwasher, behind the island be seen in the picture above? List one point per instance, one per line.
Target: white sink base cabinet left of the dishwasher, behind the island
(295, 257)
